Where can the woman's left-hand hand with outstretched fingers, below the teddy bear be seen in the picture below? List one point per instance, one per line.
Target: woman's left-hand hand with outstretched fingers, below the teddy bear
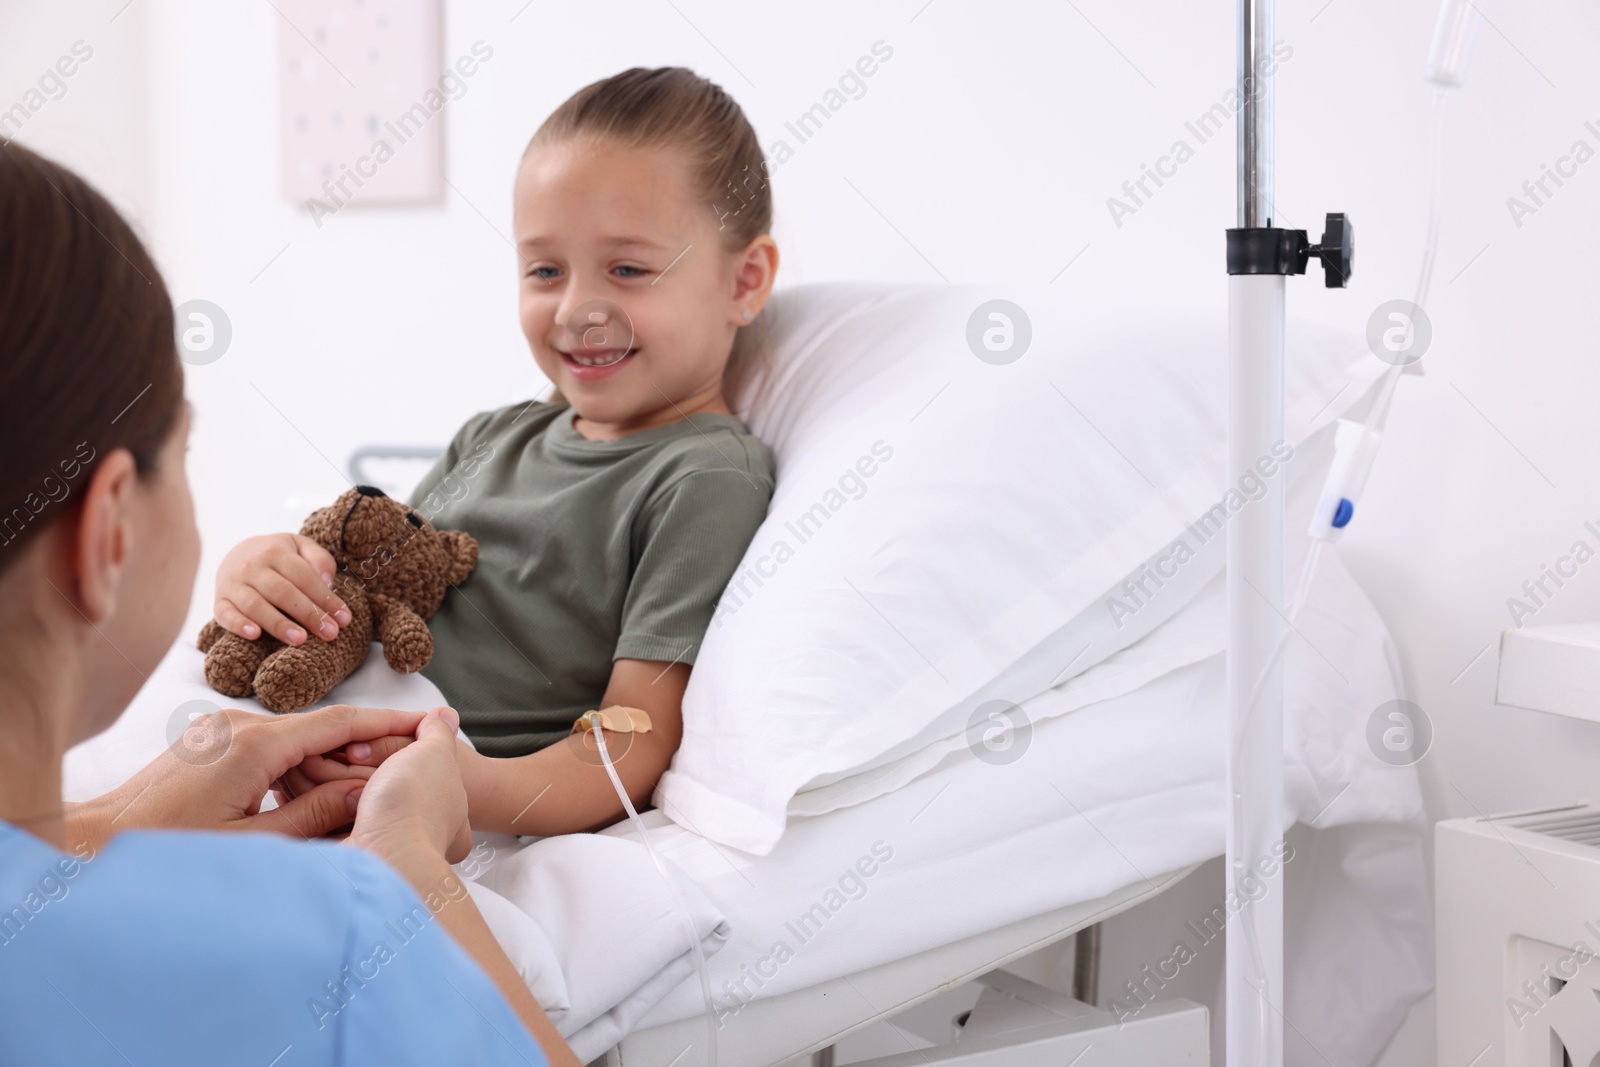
(218, 773)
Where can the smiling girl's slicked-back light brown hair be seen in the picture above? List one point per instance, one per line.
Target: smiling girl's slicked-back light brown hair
(674, 106)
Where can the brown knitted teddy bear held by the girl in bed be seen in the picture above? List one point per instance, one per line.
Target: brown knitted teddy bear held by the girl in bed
(393, 573)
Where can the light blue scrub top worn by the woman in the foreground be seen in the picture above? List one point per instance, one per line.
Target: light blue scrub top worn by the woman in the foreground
(177, 948)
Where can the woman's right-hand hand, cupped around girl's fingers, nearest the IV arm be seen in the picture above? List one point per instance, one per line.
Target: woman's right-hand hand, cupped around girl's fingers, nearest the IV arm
(415, 807)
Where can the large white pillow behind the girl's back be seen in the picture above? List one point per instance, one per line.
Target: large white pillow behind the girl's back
(946, 524)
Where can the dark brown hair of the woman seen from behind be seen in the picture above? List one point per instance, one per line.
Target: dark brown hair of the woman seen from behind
(89, 359)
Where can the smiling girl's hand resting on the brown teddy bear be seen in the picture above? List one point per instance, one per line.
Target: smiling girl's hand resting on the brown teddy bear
(279, 585)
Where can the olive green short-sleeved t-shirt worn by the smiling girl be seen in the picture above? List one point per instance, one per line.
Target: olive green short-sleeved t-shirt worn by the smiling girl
(588, 553)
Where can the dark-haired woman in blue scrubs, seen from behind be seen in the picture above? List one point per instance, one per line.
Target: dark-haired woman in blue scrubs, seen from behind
(172, 921)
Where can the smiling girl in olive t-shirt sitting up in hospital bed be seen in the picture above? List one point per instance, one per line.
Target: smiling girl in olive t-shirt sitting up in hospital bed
(610, 518)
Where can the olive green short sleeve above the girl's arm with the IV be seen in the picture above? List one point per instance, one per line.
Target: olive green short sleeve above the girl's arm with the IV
(690, 543)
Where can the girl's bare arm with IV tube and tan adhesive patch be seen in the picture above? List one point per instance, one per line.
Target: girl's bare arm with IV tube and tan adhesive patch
(564, 789)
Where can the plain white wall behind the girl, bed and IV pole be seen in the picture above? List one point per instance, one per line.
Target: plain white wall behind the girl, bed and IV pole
(991, 143)
